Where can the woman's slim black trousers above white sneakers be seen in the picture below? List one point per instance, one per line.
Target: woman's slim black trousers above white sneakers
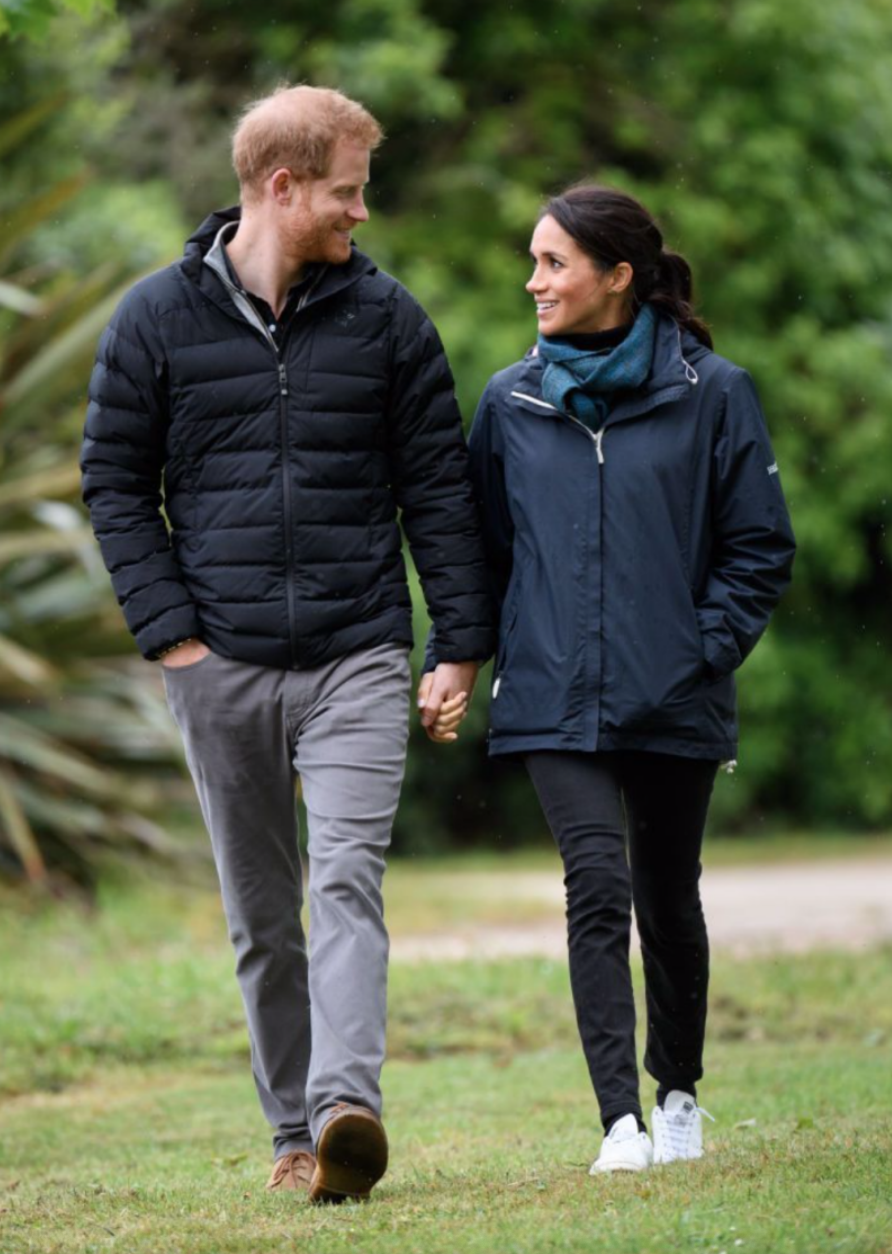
(656, 804)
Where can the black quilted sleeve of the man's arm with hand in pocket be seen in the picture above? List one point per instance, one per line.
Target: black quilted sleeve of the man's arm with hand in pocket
(122, 465)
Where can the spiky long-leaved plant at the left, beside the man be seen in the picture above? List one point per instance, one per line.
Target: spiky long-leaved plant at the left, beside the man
(73, 723)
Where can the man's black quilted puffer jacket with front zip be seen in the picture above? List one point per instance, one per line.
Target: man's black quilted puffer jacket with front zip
(284, 473)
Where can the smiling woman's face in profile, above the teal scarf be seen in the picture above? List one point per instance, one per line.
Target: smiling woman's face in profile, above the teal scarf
(573, 297)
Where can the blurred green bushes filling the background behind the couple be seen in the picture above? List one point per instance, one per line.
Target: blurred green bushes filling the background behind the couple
(760, 136)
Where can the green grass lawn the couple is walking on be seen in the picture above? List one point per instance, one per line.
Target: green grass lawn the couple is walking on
(129, 1120)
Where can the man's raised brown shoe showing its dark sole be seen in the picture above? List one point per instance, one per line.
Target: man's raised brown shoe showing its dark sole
(352, 1156)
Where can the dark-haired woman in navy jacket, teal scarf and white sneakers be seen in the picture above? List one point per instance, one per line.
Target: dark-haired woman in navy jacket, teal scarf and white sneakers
(639, 541)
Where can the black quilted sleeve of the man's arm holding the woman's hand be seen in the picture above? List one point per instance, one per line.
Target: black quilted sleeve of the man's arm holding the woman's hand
(432, 487)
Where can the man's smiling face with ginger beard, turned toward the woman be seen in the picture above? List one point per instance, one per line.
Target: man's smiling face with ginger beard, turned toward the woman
(326, 211)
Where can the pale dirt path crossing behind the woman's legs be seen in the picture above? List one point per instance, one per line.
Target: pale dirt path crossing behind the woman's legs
(750, 910)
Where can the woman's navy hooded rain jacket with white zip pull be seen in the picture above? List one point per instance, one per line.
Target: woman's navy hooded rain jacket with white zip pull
(637, 566)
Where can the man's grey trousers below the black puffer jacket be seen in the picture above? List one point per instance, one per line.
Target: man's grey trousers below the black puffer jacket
(317, 1025)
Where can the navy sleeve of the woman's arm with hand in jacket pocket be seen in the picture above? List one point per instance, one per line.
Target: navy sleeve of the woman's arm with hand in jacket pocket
(753, 537)
